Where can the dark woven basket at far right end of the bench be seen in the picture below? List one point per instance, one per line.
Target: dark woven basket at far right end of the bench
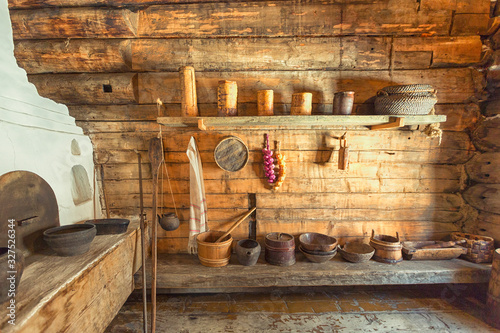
(479, 248)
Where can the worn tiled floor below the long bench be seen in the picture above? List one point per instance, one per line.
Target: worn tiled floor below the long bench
(442, 308)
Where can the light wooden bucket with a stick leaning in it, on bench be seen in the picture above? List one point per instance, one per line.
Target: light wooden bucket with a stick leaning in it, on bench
(214, 254)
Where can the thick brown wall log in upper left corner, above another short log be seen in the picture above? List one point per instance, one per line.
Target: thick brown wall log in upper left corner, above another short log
(85, 22)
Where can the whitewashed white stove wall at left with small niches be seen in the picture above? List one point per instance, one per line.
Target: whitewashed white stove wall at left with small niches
(36, 132)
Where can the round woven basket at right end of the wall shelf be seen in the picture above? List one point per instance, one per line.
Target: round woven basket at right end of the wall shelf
(415, 99)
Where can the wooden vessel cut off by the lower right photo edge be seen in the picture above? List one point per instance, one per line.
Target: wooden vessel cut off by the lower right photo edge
(493, 297)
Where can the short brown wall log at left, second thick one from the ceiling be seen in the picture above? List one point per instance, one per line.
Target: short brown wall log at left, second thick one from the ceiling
(75, 55)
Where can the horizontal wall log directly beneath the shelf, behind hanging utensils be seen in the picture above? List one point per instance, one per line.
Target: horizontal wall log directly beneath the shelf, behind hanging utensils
(302, 141)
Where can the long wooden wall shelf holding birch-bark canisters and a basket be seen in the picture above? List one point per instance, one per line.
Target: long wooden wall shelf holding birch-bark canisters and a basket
(290, 122)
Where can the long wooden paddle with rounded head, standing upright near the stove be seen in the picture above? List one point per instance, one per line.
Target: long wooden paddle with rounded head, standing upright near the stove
(156, 158)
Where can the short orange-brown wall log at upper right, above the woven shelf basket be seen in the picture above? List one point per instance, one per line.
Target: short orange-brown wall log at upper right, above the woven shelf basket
(444, 51)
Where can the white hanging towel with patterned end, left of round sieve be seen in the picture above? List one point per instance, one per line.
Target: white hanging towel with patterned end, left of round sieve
(198, 206)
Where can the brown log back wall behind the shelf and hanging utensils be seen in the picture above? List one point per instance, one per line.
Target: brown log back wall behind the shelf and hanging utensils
(110, 60)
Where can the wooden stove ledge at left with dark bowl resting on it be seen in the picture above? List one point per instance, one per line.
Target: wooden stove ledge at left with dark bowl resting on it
(76, 294)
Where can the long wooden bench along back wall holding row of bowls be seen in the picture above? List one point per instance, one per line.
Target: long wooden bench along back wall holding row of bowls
(179, 273)
